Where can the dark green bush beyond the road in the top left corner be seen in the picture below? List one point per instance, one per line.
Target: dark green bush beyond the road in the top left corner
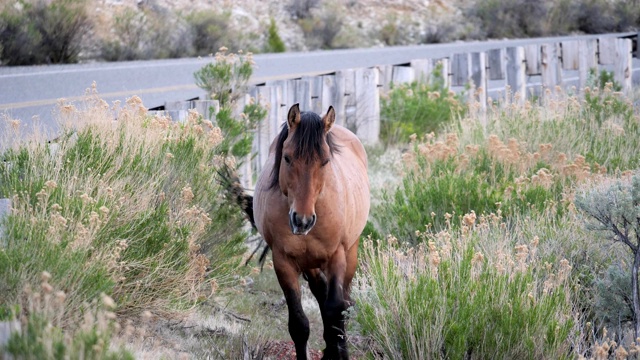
(39, 32)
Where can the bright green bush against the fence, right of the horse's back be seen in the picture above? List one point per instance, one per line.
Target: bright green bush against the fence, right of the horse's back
(417, 108)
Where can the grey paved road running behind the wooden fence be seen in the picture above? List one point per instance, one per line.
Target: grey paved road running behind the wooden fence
(26, 92)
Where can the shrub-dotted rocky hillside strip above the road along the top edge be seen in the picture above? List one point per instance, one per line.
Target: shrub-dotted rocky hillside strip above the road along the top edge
(68, 31)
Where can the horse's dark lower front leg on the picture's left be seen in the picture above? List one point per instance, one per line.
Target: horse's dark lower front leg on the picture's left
(288, 277)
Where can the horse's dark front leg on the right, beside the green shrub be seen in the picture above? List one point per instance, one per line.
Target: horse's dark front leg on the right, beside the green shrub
(334, 307)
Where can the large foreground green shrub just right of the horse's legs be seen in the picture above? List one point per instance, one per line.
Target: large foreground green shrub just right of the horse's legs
(450, 302)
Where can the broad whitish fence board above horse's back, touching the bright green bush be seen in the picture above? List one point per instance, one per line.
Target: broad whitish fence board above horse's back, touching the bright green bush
(368, 105)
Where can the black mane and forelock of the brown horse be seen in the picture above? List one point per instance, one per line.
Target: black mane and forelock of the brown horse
(308, 139)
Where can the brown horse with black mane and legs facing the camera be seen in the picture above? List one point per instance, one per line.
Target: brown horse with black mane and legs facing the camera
(310, 204)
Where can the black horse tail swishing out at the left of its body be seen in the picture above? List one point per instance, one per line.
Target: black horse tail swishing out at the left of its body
(231, 183)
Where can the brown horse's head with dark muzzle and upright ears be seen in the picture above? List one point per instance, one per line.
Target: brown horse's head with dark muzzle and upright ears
(303, 164)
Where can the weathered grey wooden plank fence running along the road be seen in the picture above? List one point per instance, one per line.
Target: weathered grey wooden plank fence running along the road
(355, 94)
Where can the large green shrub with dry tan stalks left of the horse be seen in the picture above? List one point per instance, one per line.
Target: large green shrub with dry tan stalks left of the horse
(132, 210)
